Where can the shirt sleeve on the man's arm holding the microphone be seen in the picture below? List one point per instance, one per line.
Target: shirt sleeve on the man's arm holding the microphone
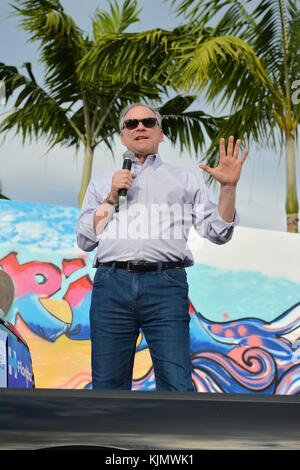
(86, 236)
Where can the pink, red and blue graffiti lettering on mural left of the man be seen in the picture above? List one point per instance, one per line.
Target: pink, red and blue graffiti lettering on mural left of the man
(47, 315)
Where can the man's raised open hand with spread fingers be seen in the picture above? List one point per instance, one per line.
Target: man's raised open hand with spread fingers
(229, 169)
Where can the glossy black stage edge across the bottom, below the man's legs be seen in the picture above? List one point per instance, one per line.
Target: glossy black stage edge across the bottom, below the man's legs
(39, 419)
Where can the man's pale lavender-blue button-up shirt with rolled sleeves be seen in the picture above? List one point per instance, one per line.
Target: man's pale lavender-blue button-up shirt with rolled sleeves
(153, 222)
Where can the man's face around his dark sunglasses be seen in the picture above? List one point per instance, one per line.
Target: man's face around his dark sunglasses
(142, 141)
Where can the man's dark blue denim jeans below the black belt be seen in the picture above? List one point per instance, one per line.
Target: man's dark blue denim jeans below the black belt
(122, 303)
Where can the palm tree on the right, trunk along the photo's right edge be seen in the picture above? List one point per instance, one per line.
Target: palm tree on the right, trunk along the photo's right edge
(262, 109)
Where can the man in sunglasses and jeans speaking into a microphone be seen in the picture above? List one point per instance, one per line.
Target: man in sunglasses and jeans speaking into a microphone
(151, 292)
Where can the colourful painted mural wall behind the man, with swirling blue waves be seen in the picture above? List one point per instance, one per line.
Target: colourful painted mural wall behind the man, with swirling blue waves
(244, 304)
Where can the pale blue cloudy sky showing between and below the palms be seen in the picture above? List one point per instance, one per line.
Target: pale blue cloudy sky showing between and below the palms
(29, 173)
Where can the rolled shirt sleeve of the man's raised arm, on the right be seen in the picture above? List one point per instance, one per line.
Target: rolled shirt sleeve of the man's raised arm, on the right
(207, 220)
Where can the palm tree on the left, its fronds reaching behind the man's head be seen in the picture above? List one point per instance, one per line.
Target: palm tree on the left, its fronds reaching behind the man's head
(73, 110)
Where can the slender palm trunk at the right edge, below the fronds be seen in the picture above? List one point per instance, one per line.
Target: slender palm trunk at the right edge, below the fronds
(291, 205)
